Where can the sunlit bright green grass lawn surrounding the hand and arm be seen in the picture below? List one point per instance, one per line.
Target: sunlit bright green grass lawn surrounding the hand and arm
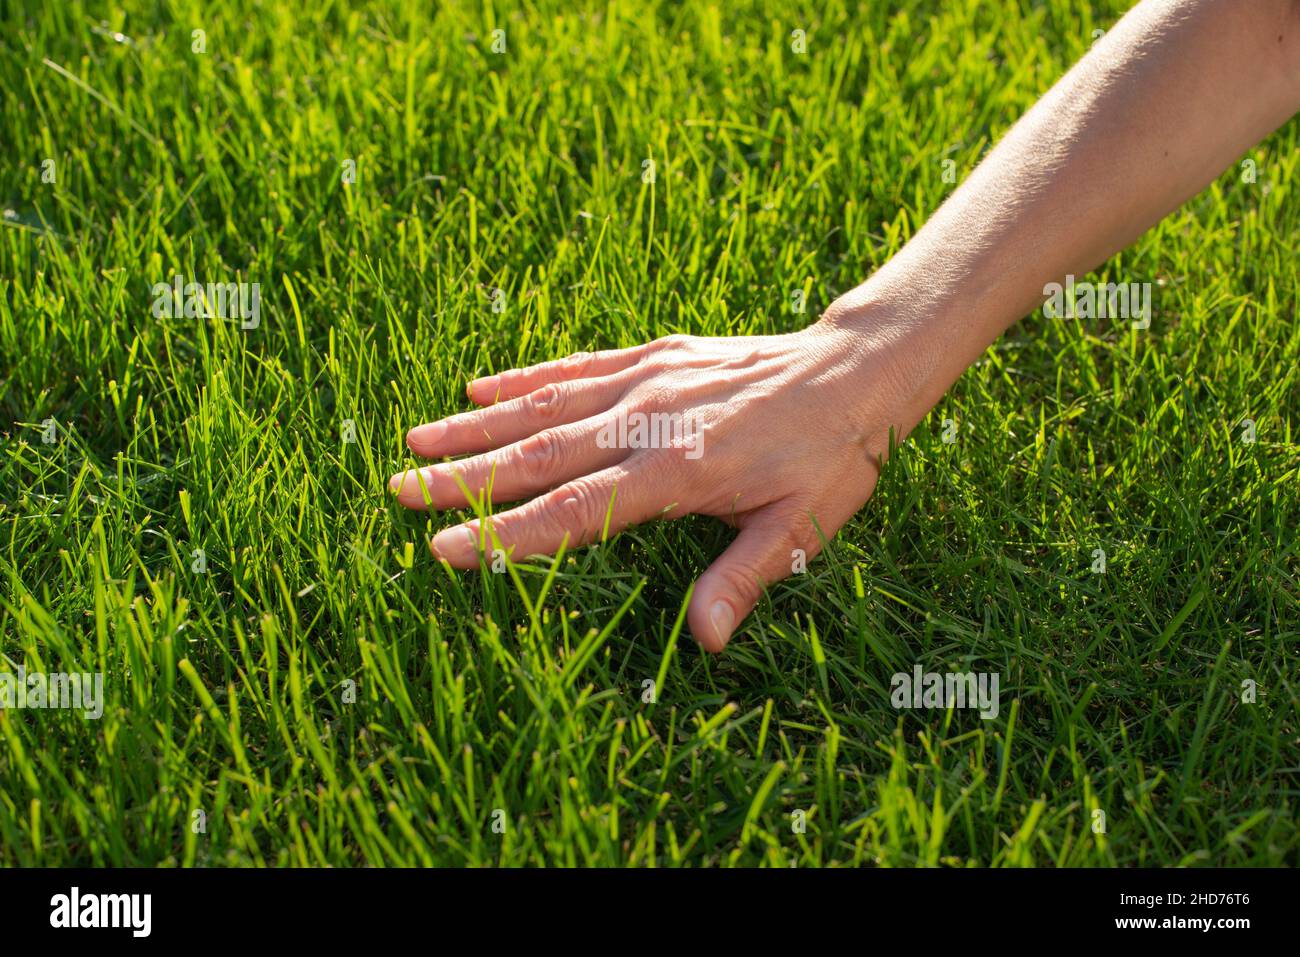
(523, 692)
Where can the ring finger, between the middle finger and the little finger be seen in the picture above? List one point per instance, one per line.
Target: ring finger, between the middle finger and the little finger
(509, 422)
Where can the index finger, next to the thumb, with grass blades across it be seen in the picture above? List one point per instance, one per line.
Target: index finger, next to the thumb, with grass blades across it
(575, 514)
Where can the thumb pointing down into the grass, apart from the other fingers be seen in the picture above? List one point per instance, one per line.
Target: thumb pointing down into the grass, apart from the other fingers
(731, 587)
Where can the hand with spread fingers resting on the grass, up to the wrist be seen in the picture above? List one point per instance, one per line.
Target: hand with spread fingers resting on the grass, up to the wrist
(779, 436)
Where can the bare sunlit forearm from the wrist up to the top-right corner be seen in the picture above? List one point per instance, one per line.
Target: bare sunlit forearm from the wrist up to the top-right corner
(1156, 110)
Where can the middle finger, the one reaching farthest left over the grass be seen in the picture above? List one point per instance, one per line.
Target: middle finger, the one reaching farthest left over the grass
(518, 471)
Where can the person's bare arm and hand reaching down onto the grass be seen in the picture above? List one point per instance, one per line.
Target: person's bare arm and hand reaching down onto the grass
(796, 427)
